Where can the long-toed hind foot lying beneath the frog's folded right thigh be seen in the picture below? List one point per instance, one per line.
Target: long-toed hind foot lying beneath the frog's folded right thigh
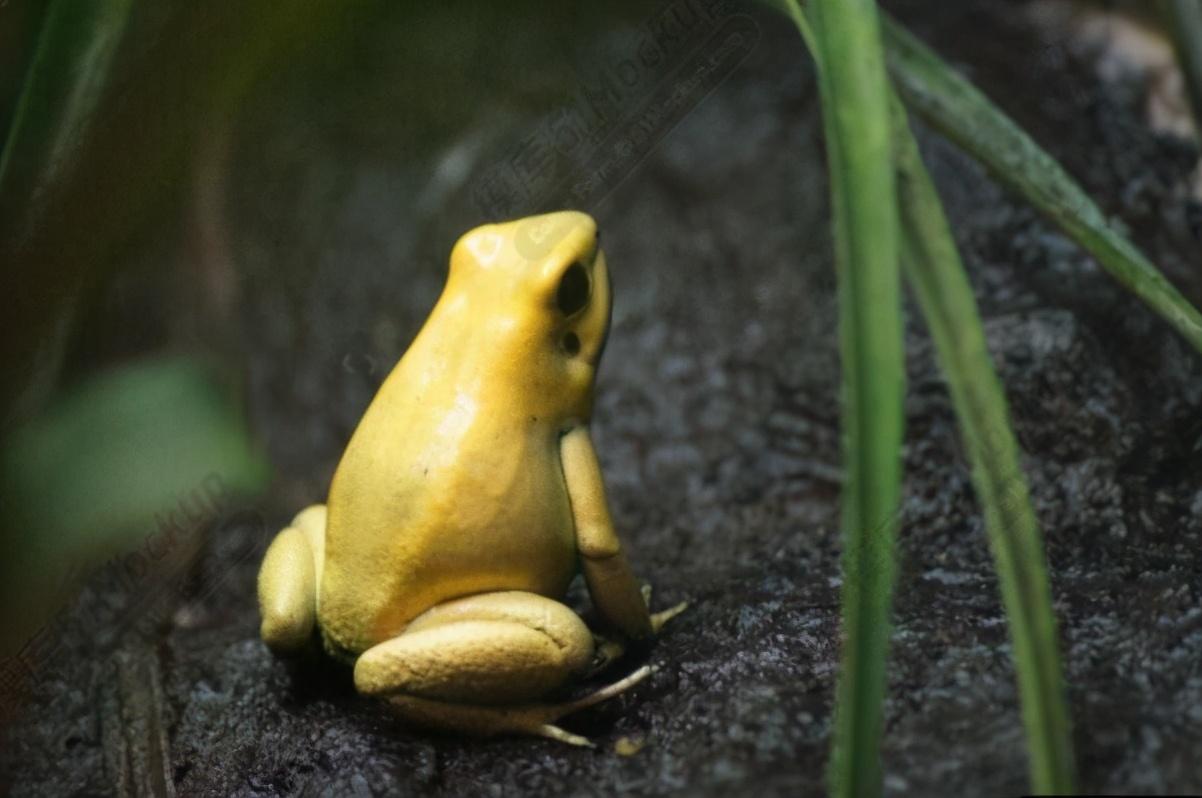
(532, 719)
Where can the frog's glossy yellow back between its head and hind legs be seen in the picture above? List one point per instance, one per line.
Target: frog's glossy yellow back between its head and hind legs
(451, 495)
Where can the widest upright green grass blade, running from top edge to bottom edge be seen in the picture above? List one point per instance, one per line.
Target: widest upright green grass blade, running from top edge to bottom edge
(855, 100)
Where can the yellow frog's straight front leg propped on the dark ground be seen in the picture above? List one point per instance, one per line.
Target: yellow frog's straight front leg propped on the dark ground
(621, 603)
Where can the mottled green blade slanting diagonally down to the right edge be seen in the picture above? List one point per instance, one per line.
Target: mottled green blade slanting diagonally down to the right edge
(956, 109)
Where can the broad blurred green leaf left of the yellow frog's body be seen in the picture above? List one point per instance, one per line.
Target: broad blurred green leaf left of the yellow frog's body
(93, 474)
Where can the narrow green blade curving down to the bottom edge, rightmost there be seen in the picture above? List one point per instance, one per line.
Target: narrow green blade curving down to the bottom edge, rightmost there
(933, 269)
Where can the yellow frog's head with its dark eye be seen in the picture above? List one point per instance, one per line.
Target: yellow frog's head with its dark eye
(540, 287)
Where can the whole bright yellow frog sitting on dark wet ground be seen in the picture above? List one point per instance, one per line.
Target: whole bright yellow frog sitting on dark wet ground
(468, 499)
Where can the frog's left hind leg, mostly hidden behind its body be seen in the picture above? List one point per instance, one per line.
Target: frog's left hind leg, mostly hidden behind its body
(289, 581)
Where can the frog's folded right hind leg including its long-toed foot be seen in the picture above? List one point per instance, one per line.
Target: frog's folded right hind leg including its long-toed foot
(480, 665)
